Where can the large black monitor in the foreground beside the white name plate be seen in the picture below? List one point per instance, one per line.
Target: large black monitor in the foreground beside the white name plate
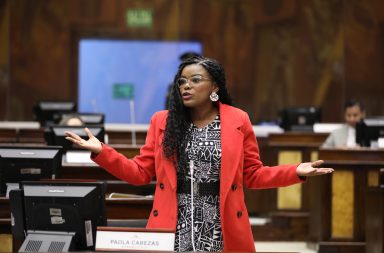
(59, 215)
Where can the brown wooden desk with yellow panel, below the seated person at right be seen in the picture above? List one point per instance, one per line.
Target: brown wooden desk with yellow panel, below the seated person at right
(337, 203)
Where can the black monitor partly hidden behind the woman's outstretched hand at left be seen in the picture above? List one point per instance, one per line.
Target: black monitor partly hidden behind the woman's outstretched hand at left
(55, 135)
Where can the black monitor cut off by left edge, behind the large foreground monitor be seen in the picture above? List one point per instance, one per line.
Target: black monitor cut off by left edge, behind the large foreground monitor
(20, 163)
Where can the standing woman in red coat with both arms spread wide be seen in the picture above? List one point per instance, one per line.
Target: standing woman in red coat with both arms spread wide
(201, 151)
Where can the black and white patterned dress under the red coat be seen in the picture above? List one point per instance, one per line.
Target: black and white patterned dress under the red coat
(204, 149)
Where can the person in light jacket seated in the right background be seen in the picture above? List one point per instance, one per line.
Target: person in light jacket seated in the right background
(345, 136)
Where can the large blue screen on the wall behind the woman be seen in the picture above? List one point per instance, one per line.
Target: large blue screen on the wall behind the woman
(132, 76)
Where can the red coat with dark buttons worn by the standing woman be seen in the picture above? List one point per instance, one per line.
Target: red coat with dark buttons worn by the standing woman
(240, 166)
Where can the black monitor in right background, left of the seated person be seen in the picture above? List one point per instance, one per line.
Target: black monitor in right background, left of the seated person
(299, 118)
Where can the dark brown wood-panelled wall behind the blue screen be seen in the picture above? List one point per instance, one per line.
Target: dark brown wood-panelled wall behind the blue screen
(276, 53)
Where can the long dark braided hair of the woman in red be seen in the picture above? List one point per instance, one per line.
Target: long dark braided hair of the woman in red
(178, 121)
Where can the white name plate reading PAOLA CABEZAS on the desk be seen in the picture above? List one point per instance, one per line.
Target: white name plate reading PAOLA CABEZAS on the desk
(134, 239)
